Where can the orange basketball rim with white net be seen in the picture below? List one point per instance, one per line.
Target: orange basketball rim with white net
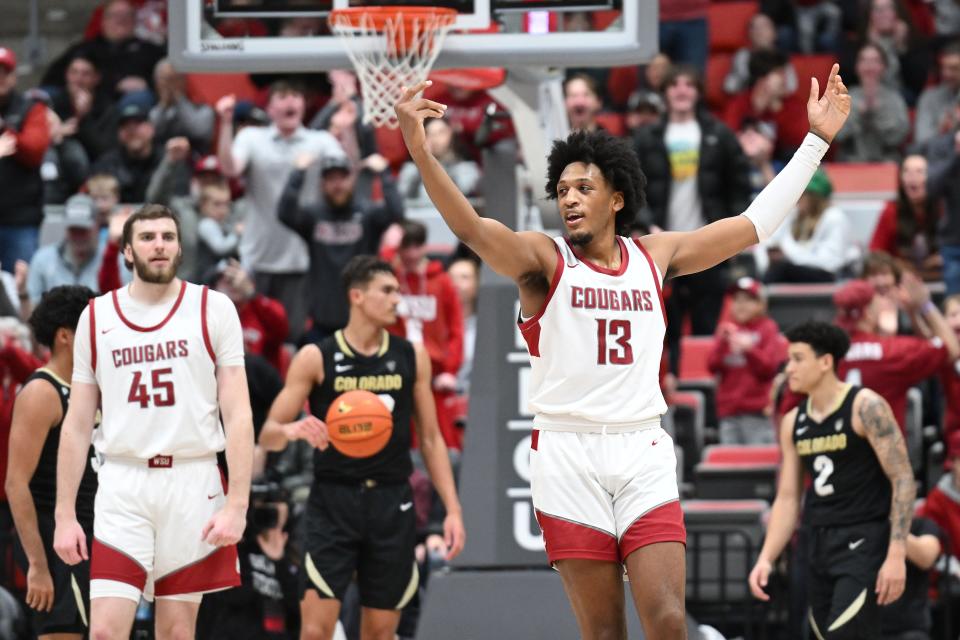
(390, 48)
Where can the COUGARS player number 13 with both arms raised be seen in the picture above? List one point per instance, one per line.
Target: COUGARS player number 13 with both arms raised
(602, 470)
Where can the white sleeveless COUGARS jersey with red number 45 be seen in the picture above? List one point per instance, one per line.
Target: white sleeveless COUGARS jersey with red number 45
(158, 384)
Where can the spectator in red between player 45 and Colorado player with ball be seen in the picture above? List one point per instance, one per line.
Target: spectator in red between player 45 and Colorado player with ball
(263, 319)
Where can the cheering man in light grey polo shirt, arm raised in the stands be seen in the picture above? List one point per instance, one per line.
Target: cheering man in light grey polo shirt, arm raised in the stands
(264, 155)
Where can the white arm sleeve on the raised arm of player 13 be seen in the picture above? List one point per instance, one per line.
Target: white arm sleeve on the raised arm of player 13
(771, 207)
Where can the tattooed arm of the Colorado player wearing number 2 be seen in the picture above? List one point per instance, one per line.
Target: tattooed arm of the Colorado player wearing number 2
(874, 421)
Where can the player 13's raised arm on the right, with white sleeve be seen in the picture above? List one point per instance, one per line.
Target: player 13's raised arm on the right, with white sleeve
(680, 253)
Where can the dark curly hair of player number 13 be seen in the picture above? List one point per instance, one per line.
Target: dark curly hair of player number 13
(616, 160)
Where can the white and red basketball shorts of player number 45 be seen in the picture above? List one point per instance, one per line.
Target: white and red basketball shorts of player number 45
(148, 518)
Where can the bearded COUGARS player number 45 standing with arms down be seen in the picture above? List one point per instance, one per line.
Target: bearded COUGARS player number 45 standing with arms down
(164, 359)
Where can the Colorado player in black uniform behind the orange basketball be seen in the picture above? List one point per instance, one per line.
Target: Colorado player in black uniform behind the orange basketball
(359, 515)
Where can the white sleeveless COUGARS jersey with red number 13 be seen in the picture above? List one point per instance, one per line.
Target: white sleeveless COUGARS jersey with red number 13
(596, 344)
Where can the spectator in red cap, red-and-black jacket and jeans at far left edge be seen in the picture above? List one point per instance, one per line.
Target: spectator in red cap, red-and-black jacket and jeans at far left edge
(24, 138)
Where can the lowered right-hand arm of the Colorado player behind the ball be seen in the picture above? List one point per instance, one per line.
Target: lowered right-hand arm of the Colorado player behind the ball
(435, 455)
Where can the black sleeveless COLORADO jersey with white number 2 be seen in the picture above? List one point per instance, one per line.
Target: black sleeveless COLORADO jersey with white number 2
(849, 485)
